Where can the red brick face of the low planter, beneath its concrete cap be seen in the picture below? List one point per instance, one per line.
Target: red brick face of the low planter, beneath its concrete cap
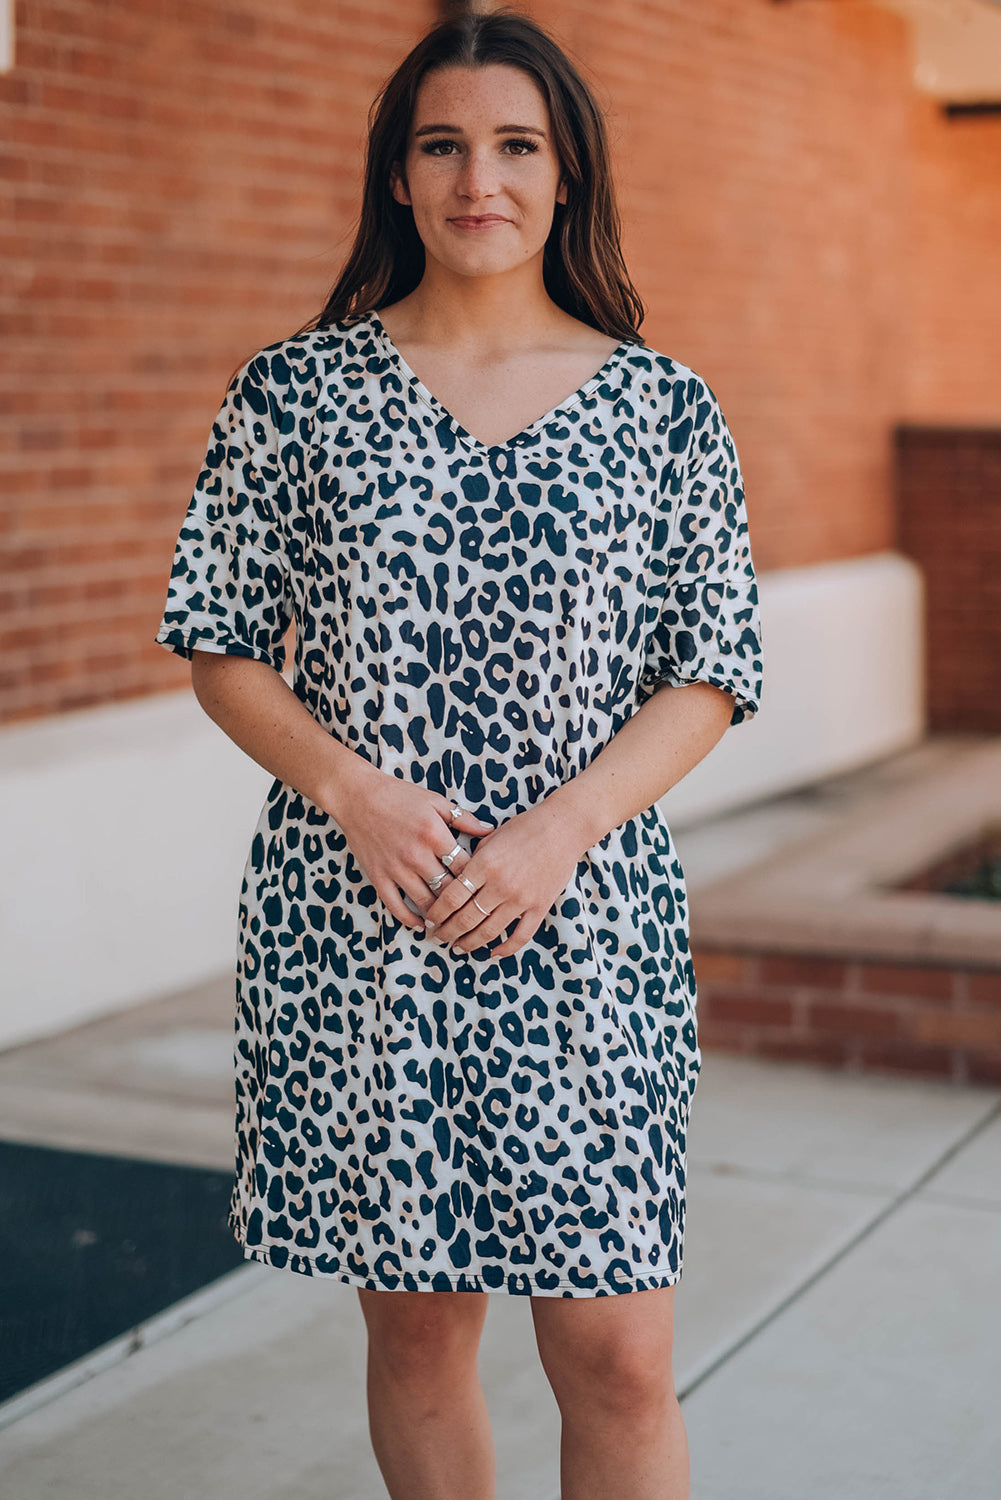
(865, 1016)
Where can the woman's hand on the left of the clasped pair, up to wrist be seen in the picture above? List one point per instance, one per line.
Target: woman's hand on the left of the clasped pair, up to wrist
(398, 833)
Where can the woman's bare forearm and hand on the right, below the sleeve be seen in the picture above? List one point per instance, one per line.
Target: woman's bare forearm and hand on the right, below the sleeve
(523, 868)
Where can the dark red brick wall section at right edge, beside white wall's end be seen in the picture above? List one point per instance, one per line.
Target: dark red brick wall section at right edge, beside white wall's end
(949, 508)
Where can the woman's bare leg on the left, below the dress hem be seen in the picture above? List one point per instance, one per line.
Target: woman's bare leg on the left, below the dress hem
(428, 1418)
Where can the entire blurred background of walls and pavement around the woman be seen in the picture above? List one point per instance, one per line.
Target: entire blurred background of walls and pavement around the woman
(811, 196)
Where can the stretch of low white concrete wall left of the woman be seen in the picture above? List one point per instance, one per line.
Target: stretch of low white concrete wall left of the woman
(125, 832)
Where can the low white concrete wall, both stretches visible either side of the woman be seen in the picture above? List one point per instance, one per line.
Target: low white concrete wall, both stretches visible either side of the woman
(125, 829)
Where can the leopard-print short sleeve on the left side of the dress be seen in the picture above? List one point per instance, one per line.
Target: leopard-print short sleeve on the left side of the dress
(230, 587)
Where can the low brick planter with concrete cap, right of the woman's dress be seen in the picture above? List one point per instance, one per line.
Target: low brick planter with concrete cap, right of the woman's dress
(813, 955)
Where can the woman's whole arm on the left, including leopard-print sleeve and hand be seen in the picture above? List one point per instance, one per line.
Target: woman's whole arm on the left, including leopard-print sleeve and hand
(232, 587)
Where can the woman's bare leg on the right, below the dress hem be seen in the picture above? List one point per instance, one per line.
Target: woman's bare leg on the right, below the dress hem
(609, 1361)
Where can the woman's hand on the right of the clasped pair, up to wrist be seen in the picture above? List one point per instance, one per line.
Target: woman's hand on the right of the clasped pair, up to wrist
(519, 871)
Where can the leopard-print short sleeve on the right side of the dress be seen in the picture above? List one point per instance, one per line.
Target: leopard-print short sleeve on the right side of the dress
(709, 628)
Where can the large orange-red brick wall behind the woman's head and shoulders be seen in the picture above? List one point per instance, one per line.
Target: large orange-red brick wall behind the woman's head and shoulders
(810, 233)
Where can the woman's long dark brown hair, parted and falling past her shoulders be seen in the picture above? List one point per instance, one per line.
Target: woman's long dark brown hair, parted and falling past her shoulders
(583, 263)
